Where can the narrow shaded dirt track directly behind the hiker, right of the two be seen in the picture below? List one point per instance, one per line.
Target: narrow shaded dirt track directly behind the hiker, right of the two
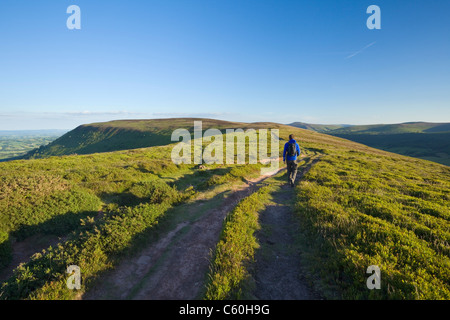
(278, 270)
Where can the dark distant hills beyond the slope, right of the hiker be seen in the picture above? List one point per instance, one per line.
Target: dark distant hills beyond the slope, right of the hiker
(425, 140)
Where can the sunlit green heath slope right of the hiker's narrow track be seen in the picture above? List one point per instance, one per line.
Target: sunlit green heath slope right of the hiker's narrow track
(360, 209)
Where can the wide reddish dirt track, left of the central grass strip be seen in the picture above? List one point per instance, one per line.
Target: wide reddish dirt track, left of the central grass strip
(175, 266)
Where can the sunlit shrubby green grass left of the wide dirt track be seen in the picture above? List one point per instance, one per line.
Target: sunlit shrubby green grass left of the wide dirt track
(105, 205)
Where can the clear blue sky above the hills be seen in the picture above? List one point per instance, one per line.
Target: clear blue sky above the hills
(240, 60)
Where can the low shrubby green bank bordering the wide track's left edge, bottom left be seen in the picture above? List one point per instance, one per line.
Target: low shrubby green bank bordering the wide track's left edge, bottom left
(94, 250)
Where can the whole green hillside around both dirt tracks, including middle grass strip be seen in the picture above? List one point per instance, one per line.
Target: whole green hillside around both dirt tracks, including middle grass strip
(357, 206)
